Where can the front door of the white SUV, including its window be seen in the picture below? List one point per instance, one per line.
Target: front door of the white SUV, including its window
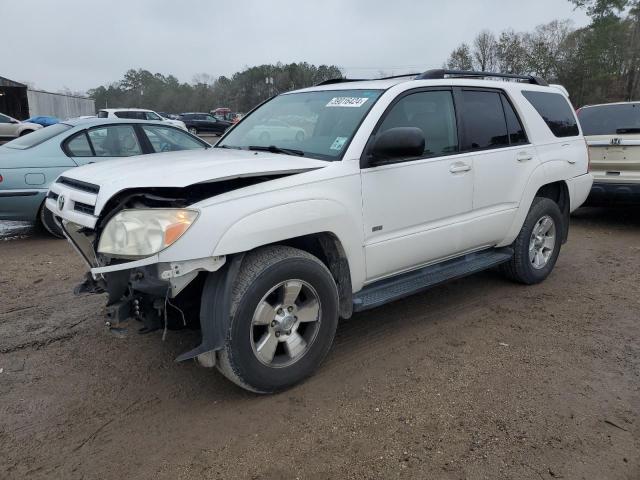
(414, 209)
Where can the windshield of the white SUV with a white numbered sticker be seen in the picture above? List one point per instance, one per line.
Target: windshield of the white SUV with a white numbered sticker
(319, 124)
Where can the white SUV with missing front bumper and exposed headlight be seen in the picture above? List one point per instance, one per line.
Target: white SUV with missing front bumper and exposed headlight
(397, 185)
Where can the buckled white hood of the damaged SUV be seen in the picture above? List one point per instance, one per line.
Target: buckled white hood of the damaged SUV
(180, 169)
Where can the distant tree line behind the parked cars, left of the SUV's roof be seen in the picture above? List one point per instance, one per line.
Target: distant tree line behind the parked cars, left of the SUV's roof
(241, 92)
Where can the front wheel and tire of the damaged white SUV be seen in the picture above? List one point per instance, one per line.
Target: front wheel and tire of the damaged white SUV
(266, 277)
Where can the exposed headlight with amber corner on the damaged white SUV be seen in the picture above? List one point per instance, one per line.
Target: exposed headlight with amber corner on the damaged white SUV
(143, 232)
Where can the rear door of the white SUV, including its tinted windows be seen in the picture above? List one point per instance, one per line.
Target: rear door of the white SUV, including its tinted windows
(503, 159)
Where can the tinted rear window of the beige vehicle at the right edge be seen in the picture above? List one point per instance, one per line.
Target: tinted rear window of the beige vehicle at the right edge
(610, 119)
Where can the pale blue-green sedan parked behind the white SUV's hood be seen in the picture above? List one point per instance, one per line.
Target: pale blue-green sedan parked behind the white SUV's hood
(30, 163)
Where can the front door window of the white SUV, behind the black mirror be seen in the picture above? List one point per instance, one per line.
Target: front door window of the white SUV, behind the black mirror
(433, 113)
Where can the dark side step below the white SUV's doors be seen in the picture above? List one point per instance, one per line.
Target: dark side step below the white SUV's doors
(405, 284)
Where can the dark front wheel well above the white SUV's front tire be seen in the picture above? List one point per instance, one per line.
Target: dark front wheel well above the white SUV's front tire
(327, 247)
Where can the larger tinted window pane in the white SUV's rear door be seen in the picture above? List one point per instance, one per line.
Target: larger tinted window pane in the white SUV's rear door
(484, 120)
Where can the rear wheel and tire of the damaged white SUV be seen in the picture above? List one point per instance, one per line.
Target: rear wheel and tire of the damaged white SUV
(522, 267)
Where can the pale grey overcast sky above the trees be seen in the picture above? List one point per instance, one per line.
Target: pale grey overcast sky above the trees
(81, 44)
